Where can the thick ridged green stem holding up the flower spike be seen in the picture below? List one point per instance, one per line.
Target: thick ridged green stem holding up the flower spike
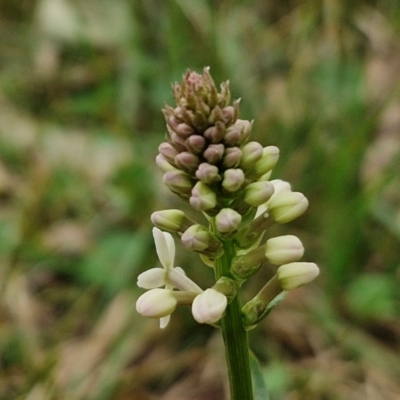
(235, 337)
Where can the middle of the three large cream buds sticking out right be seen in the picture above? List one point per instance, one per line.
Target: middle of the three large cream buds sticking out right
(283, 249)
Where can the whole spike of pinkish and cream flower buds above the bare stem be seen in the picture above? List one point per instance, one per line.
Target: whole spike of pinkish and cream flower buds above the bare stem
(208, 160)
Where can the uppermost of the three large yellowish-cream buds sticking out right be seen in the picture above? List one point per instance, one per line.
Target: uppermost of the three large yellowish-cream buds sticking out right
(287, 206)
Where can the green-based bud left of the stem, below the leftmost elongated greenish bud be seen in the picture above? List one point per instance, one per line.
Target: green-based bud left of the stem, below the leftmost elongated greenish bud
(199, 238)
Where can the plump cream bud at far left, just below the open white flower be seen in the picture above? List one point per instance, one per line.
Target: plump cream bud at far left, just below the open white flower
(156, 303)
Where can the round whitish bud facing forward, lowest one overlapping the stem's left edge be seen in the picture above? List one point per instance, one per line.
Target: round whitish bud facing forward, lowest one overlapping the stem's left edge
(209, 306)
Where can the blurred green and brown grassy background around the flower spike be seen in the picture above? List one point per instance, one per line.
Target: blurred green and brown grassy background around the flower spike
(82, 83)
